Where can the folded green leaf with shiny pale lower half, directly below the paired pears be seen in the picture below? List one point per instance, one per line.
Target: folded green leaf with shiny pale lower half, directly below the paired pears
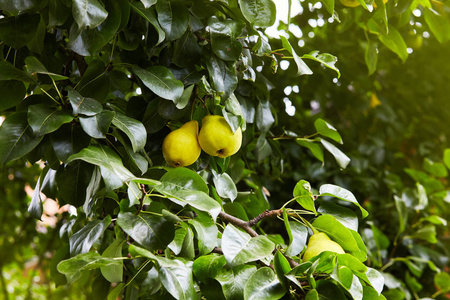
(188, 187)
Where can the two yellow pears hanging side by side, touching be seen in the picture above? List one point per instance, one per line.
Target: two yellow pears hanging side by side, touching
(183, 146)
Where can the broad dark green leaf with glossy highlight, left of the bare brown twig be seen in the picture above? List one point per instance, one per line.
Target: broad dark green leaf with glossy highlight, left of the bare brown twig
(152, 232)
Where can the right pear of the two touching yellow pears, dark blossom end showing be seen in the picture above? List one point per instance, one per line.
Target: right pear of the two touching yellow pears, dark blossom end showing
(216, 137)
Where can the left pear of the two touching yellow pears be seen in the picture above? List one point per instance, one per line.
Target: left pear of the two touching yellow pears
(180, 147)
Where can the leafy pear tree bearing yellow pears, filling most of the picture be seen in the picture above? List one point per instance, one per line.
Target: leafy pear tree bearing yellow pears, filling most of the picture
(156, 124)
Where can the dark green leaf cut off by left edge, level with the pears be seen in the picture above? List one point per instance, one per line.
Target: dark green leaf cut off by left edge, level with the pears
(17, 138)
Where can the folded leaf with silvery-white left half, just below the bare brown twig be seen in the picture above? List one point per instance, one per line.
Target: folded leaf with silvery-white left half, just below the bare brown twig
(239, 247)
